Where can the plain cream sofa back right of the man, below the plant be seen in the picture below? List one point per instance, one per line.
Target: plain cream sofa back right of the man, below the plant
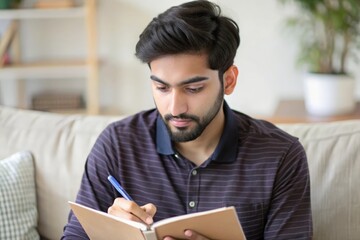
(333, 151)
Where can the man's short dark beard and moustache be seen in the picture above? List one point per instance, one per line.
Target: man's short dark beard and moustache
(183, 134)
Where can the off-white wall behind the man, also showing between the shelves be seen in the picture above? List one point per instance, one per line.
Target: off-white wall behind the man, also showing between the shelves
(266, 56)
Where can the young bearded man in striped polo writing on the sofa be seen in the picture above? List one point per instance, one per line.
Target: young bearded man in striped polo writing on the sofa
(193, 153)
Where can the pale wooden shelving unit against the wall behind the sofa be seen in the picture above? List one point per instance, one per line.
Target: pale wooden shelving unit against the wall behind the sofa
(84, 68)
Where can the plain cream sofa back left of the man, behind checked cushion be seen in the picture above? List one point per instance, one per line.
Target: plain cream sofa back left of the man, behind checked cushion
(60, 144)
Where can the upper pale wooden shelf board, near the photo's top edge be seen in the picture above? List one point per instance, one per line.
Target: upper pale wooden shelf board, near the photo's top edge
(33, 13)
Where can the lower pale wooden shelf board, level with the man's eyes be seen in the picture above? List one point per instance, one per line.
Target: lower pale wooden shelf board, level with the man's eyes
(45, 70)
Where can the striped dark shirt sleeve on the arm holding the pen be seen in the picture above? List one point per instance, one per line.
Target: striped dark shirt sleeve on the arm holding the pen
(95, 191)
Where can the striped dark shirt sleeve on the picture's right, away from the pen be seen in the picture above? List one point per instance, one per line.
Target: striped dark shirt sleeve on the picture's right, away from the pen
(289, 216)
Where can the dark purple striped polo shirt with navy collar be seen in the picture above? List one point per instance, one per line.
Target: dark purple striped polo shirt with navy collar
(256, 167)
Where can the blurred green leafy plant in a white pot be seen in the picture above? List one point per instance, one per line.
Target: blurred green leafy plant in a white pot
(329, 34)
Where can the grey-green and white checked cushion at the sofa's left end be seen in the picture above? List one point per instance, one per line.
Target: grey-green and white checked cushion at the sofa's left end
(18, 210)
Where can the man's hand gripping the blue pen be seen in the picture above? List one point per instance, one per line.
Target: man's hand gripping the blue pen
(130, 210)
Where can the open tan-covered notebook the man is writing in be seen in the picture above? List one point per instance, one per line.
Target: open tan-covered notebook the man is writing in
(220, 223)
